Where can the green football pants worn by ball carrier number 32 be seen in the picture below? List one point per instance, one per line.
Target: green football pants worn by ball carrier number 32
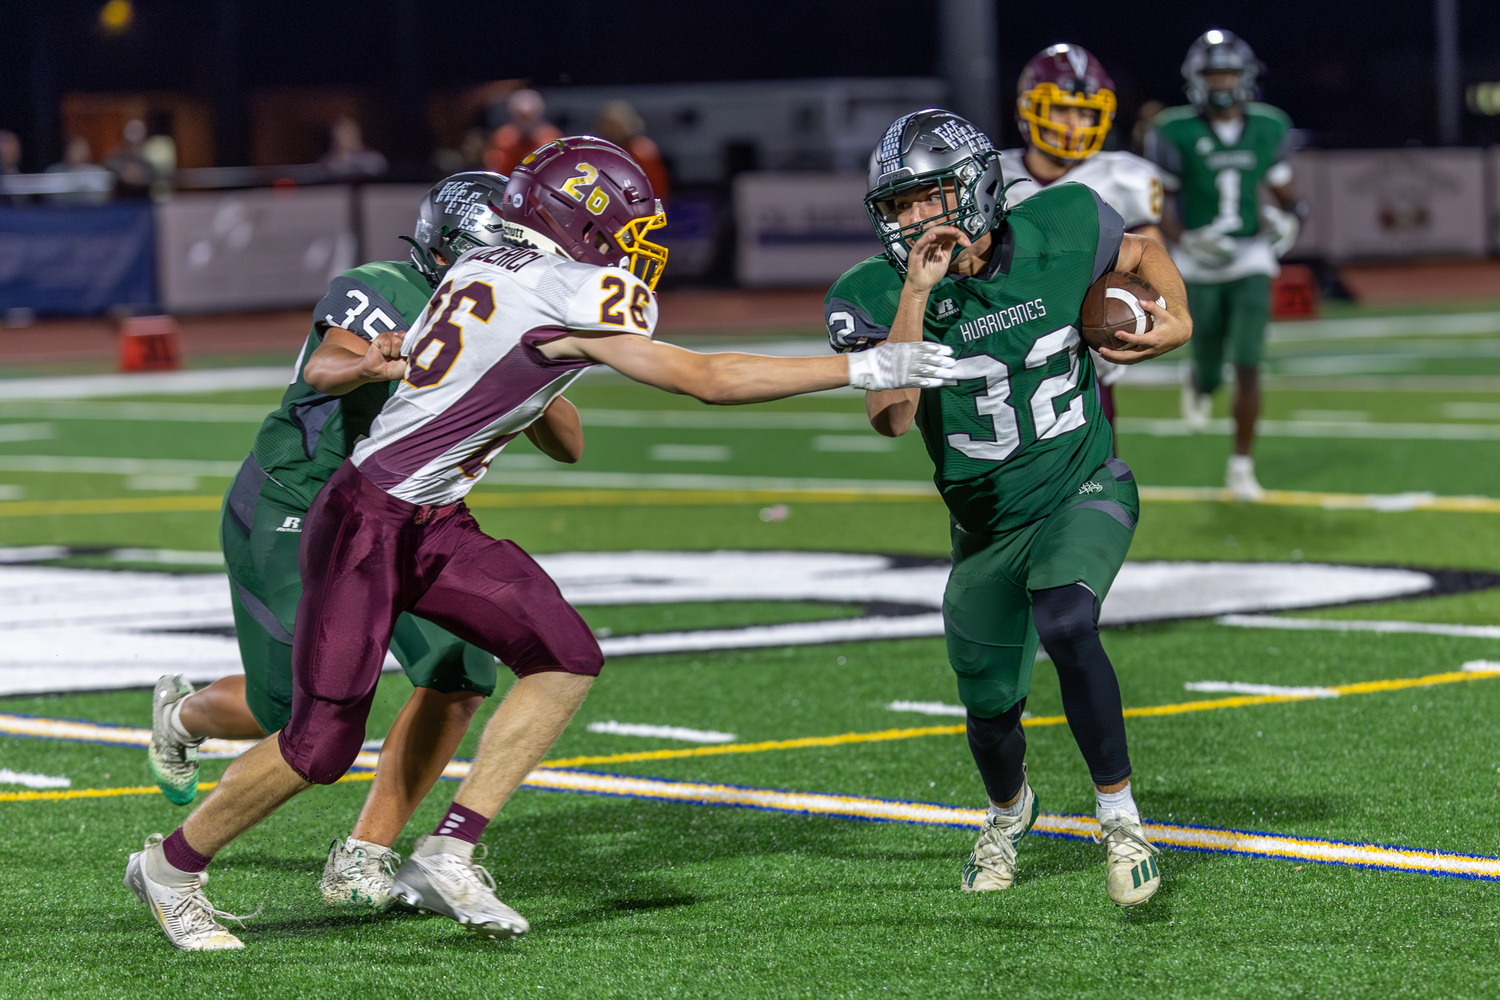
(988, 606)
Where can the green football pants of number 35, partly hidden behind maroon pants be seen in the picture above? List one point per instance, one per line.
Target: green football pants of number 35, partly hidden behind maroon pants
(260, 531)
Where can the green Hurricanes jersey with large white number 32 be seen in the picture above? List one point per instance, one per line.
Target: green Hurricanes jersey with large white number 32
(1022, 431)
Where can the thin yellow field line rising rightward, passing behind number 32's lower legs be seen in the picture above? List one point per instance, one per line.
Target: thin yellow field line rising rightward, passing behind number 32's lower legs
(842, 740)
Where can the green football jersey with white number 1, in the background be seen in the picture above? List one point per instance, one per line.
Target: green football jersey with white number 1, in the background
(1219, 184)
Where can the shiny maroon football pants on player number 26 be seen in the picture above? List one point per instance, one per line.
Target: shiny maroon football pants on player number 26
(368, 557)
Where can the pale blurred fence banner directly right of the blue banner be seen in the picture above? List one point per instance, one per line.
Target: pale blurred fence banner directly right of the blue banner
(253, 250)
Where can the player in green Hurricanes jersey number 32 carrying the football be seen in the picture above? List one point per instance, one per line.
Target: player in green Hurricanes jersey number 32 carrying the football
(1042, 515)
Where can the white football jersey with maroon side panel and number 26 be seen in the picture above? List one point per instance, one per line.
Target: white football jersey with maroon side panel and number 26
(475, 376)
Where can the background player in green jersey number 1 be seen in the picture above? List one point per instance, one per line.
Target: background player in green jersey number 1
(1219, 155)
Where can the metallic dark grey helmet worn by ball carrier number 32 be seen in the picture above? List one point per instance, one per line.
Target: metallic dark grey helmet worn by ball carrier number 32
(932, 148)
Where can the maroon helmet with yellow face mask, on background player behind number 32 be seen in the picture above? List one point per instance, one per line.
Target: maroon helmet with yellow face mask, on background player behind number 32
(1070, 77)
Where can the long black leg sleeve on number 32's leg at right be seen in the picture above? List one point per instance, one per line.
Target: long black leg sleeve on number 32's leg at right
(1067, 620)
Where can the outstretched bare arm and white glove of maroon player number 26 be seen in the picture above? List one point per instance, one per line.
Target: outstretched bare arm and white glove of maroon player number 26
(749, 379)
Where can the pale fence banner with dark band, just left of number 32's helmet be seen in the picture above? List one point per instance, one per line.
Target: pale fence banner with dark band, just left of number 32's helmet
(800, 229)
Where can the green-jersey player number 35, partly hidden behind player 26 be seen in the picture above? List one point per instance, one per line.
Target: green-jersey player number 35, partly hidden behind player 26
(344, 376)
